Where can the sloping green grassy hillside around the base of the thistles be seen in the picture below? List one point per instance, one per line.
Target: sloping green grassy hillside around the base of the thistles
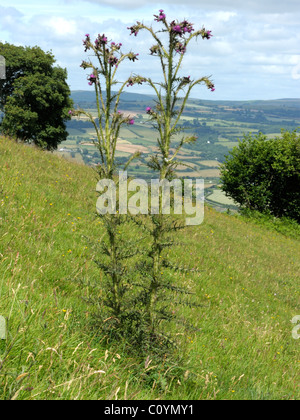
(240, 345)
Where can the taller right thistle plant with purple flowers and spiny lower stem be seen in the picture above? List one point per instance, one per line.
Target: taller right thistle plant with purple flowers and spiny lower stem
(165, 118)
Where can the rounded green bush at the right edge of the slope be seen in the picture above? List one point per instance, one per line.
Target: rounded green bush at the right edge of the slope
(264, 175)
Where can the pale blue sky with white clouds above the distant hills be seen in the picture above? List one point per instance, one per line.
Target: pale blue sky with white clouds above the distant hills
(254, 52)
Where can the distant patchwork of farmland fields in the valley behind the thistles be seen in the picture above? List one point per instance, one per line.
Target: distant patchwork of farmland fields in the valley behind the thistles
(218, 125)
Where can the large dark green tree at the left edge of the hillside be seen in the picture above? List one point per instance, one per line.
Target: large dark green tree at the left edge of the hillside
(35, 97)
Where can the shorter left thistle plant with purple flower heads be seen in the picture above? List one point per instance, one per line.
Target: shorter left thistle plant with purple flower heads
(115, 251)
